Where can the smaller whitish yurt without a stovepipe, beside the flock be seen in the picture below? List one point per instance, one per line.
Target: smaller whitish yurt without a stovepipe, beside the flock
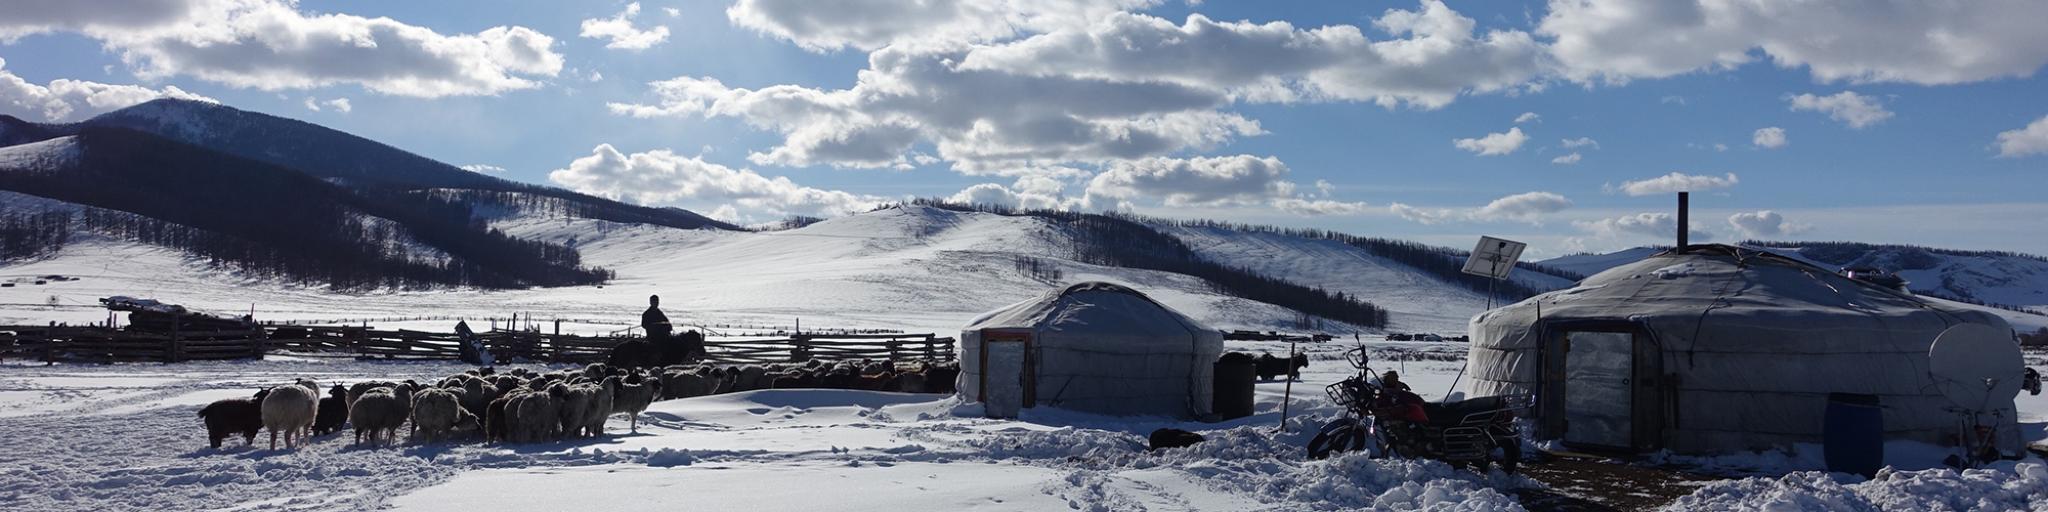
(1093, 347)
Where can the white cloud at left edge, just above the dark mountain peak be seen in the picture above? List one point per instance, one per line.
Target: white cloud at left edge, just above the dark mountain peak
(75, 99)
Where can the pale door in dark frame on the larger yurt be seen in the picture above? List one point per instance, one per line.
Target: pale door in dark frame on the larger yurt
(1601, 388)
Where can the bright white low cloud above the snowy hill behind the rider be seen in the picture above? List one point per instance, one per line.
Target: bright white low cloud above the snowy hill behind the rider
(663, 177)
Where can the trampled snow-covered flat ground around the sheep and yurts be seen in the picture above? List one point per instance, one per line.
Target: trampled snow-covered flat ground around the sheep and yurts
(124, 437)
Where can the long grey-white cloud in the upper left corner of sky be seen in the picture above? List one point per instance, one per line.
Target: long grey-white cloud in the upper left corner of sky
(273, 46)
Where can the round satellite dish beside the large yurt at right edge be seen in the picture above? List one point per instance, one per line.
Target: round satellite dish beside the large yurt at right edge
(1975, 366)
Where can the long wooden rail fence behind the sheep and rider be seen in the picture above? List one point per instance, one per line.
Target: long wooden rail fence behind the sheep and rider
(366, 343)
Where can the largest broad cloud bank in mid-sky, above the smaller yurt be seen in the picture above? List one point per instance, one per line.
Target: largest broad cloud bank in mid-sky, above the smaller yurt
(982, 122)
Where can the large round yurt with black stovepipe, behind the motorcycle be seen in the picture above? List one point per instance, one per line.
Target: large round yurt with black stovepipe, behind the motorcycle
(1713, 349)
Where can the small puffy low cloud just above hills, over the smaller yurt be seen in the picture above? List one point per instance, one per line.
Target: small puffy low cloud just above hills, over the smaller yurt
(1195, 181)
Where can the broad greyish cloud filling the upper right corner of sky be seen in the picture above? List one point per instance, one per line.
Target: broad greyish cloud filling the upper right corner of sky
(1836, 42)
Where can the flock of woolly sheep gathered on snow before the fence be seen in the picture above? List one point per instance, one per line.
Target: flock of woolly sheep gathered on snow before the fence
(525, 407)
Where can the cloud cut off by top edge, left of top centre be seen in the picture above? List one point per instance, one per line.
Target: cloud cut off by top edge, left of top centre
(939, 24)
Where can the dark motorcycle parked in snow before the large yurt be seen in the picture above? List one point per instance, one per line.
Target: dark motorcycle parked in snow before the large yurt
(1385, 421)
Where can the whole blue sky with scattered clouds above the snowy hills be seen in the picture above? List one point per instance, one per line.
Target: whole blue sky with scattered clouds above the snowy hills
(1351, 126)
